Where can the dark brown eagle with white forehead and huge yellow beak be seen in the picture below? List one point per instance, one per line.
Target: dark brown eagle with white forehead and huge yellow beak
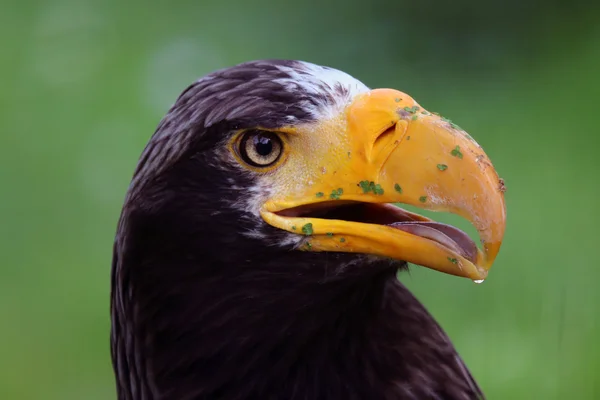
(258, 248)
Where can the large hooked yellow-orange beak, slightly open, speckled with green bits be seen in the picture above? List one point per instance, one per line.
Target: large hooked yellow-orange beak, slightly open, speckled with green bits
(387, 149)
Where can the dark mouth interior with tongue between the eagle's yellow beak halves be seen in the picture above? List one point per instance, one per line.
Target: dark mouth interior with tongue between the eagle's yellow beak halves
(392, 216)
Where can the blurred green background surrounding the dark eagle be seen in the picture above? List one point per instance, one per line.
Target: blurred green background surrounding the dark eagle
(84, 84)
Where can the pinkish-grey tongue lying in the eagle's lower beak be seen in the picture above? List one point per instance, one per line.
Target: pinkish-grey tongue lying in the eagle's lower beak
(446, 235)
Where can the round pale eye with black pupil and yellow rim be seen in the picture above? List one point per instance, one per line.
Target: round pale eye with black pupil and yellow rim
(260, 148)
